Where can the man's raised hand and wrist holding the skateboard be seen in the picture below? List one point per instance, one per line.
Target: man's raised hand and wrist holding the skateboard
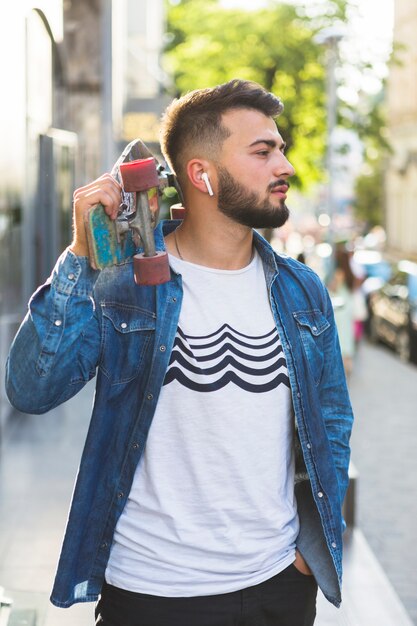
(106, 191)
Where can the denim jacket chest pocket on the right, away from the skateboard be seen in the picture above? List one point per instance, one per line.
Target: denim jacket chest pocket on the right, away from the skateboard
(312, 326)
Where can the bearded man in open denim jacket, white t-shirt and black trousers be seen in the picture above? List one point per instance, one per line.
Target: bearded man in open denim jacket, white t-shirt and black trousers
(210, 488)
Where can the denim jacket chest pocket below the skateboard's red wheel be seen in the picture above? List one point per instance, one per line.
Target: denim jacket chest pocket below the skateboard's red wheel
(127, 334)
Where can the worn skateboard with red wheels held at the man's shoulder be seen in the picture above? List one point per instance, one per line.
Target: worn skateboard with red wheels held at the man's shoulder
(110, 242)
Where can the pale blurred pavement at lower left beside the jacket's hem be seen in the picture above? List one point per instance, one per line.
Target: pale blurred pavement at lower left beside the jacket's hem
(38, 464)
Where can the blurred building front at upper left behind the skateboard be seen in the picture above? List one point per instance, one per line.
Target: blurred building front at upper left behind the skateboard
(84, 79)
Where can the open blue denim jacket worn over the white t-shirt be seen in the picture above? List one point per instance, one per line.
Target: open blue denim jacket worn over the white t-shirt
(82, 322)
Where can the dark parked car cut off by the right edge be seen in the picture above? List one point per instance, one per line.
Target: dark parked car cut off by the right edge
(393, 311)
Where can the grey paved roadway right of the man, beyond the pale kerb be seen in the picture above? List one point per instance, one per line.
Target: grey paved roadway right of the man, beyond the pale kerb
(384, 443)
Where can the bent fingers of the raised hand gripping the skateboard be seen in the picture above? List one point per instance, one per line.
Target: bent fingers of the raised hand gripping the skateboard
(104, 190)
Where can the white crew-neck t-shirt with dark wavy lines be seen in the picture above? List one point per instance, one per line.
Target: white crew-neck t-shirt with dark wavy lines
(212, 506)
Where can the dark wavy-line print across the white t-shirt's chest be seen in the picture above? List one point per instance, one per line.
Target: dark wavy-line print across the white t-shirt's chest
(210, 362)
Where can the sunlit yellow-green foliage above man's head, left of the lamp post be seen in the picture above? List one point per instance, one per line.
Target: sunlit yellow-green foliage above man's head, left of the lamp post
(275, 46)
